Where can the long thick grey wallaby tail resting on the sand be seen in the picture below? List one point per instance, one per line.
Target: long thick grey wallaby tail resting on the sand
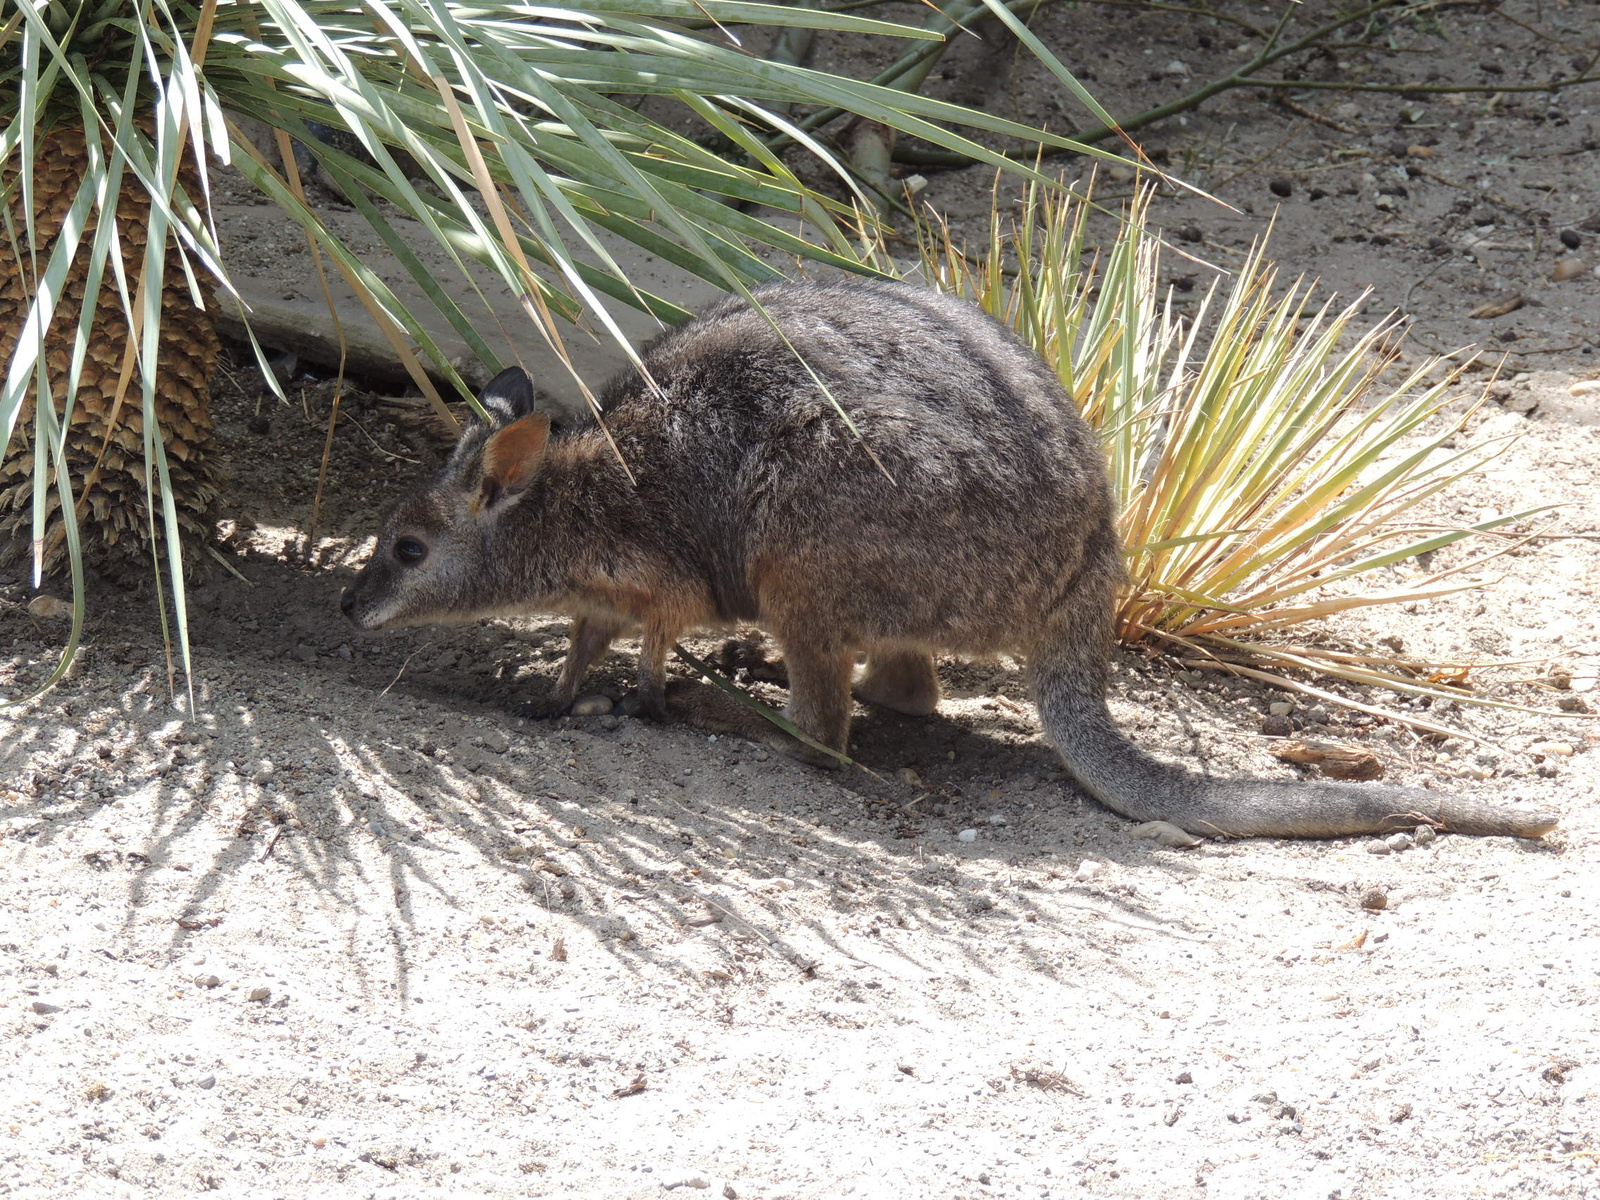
(1126, 780)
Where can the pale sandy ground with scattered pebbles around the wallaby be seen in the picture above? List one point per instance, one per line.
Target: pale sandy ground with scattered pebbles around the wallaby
(351, 929)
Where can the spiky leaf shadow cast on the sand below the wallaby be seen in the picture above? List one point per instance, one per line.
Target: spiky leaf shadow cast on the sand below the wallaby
(634, 831)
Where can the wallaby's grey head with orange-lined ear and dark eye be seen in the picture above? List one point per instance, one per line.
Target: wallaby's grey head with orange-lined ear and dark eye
(436, 551)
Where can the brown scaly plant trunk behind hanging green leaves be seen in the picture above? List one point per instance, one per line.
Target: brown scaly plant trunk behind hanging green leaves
(106, 441)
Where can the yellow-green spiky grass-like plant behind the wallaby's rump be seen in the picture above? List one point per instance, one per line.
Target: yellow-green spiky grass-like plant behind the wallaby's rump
(1263, 473)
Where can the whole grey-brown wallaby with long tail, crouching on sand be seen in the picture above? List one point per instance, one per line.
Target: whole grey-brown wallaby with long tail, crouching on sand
(967, 513)
